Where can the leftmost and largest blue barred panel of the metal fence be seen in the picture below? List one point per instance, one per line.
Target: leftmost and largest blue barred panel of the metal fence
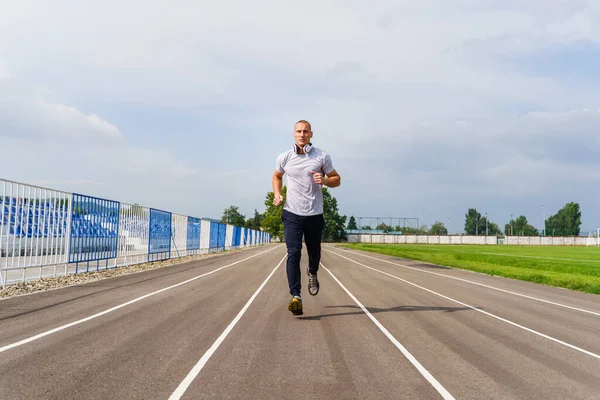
(94, 229)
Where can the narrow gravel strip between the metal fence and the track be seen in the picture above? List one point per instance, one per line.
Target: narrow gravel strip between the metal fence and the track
(43, 284)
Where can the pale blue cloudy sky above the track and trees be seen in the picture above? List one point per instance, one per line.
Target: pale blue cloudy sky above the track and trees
(427, 108)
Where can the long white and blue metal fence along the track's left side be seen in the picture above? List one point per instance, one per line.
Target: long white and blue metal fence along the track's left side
(46, 232)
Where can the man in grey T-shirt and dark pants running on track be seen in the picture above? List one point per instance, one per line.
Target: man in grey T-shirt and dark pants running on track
(307, 168)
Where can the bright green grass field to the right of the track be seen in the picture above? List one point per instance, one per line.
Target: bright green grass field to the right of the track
(576, 268)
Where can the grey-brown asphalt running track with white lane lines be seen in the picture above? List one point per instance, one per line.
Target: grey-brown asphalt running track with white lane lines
(380, 328)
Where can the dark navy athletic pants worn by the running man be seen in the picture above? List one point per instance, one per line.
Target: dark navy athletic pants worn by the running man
(294, 227)
